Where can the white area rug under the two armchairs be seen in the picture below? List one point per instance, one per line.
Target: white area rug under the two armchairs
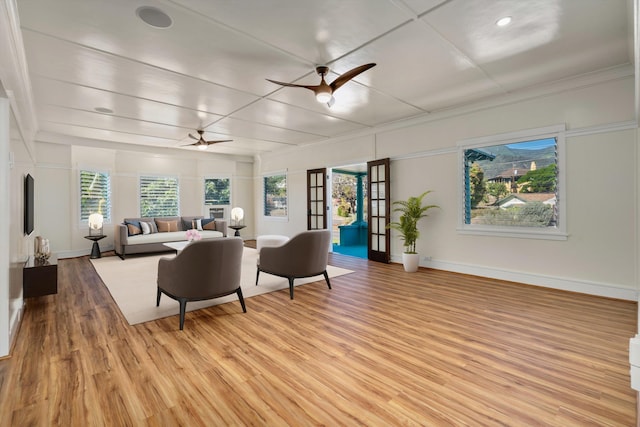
(132, 284)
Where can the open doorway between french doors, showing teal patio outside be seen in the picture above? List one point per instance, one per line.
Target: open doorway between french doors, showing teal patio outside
(349, 210)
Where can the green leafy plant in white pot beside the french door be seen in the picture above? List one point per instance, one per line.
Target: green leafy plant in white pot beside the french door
(411, 211)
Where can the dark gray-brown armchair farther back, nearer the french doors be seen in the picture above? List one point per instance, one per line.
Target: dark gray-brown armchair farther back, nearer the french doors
(304, 255)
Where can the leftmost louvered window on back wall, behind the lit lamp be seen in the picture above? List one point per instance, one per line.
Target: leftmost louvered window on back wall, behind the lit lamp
(95, 194)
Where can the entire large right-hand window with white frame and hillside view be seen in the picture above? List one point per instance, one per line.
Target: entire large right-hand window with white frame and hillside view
(512, 184)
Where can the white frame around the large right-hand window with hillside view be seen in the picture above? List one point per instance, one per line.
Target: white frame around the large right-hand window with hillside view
(559, 232)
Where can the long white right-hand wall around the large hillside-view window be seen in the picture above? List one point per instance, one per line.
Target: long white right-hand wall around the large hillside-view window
(600, 255)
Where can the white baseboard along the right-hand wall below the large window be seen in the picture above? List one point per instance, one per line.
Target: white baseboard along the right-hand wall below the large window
(571, 285)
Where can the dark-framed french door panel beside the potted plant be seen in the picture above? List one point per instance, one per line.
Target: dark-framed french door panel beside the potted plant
(379, 211)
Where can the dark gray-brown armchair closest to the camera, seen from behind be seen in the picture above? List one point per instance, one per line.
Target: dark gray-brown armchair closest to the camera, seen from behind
(203, 270)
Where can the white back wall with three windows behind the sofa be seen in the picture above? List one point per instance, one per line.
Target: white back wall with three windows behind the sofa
(57, 187)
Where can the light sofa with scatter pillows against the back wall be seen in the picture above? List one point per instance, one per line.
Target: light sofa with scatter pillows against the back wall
(127, 243)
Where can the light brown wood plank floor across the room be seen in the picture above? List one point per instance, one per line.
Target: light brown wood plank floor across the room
(383, 347)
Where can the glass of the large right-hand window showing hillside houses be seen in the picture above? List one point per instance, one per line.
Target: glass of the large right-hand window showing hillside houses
(512, 185)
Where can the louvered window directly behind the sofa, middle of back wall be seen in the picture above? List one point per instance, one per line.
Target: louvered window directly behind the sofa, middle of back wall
(159, 196)
